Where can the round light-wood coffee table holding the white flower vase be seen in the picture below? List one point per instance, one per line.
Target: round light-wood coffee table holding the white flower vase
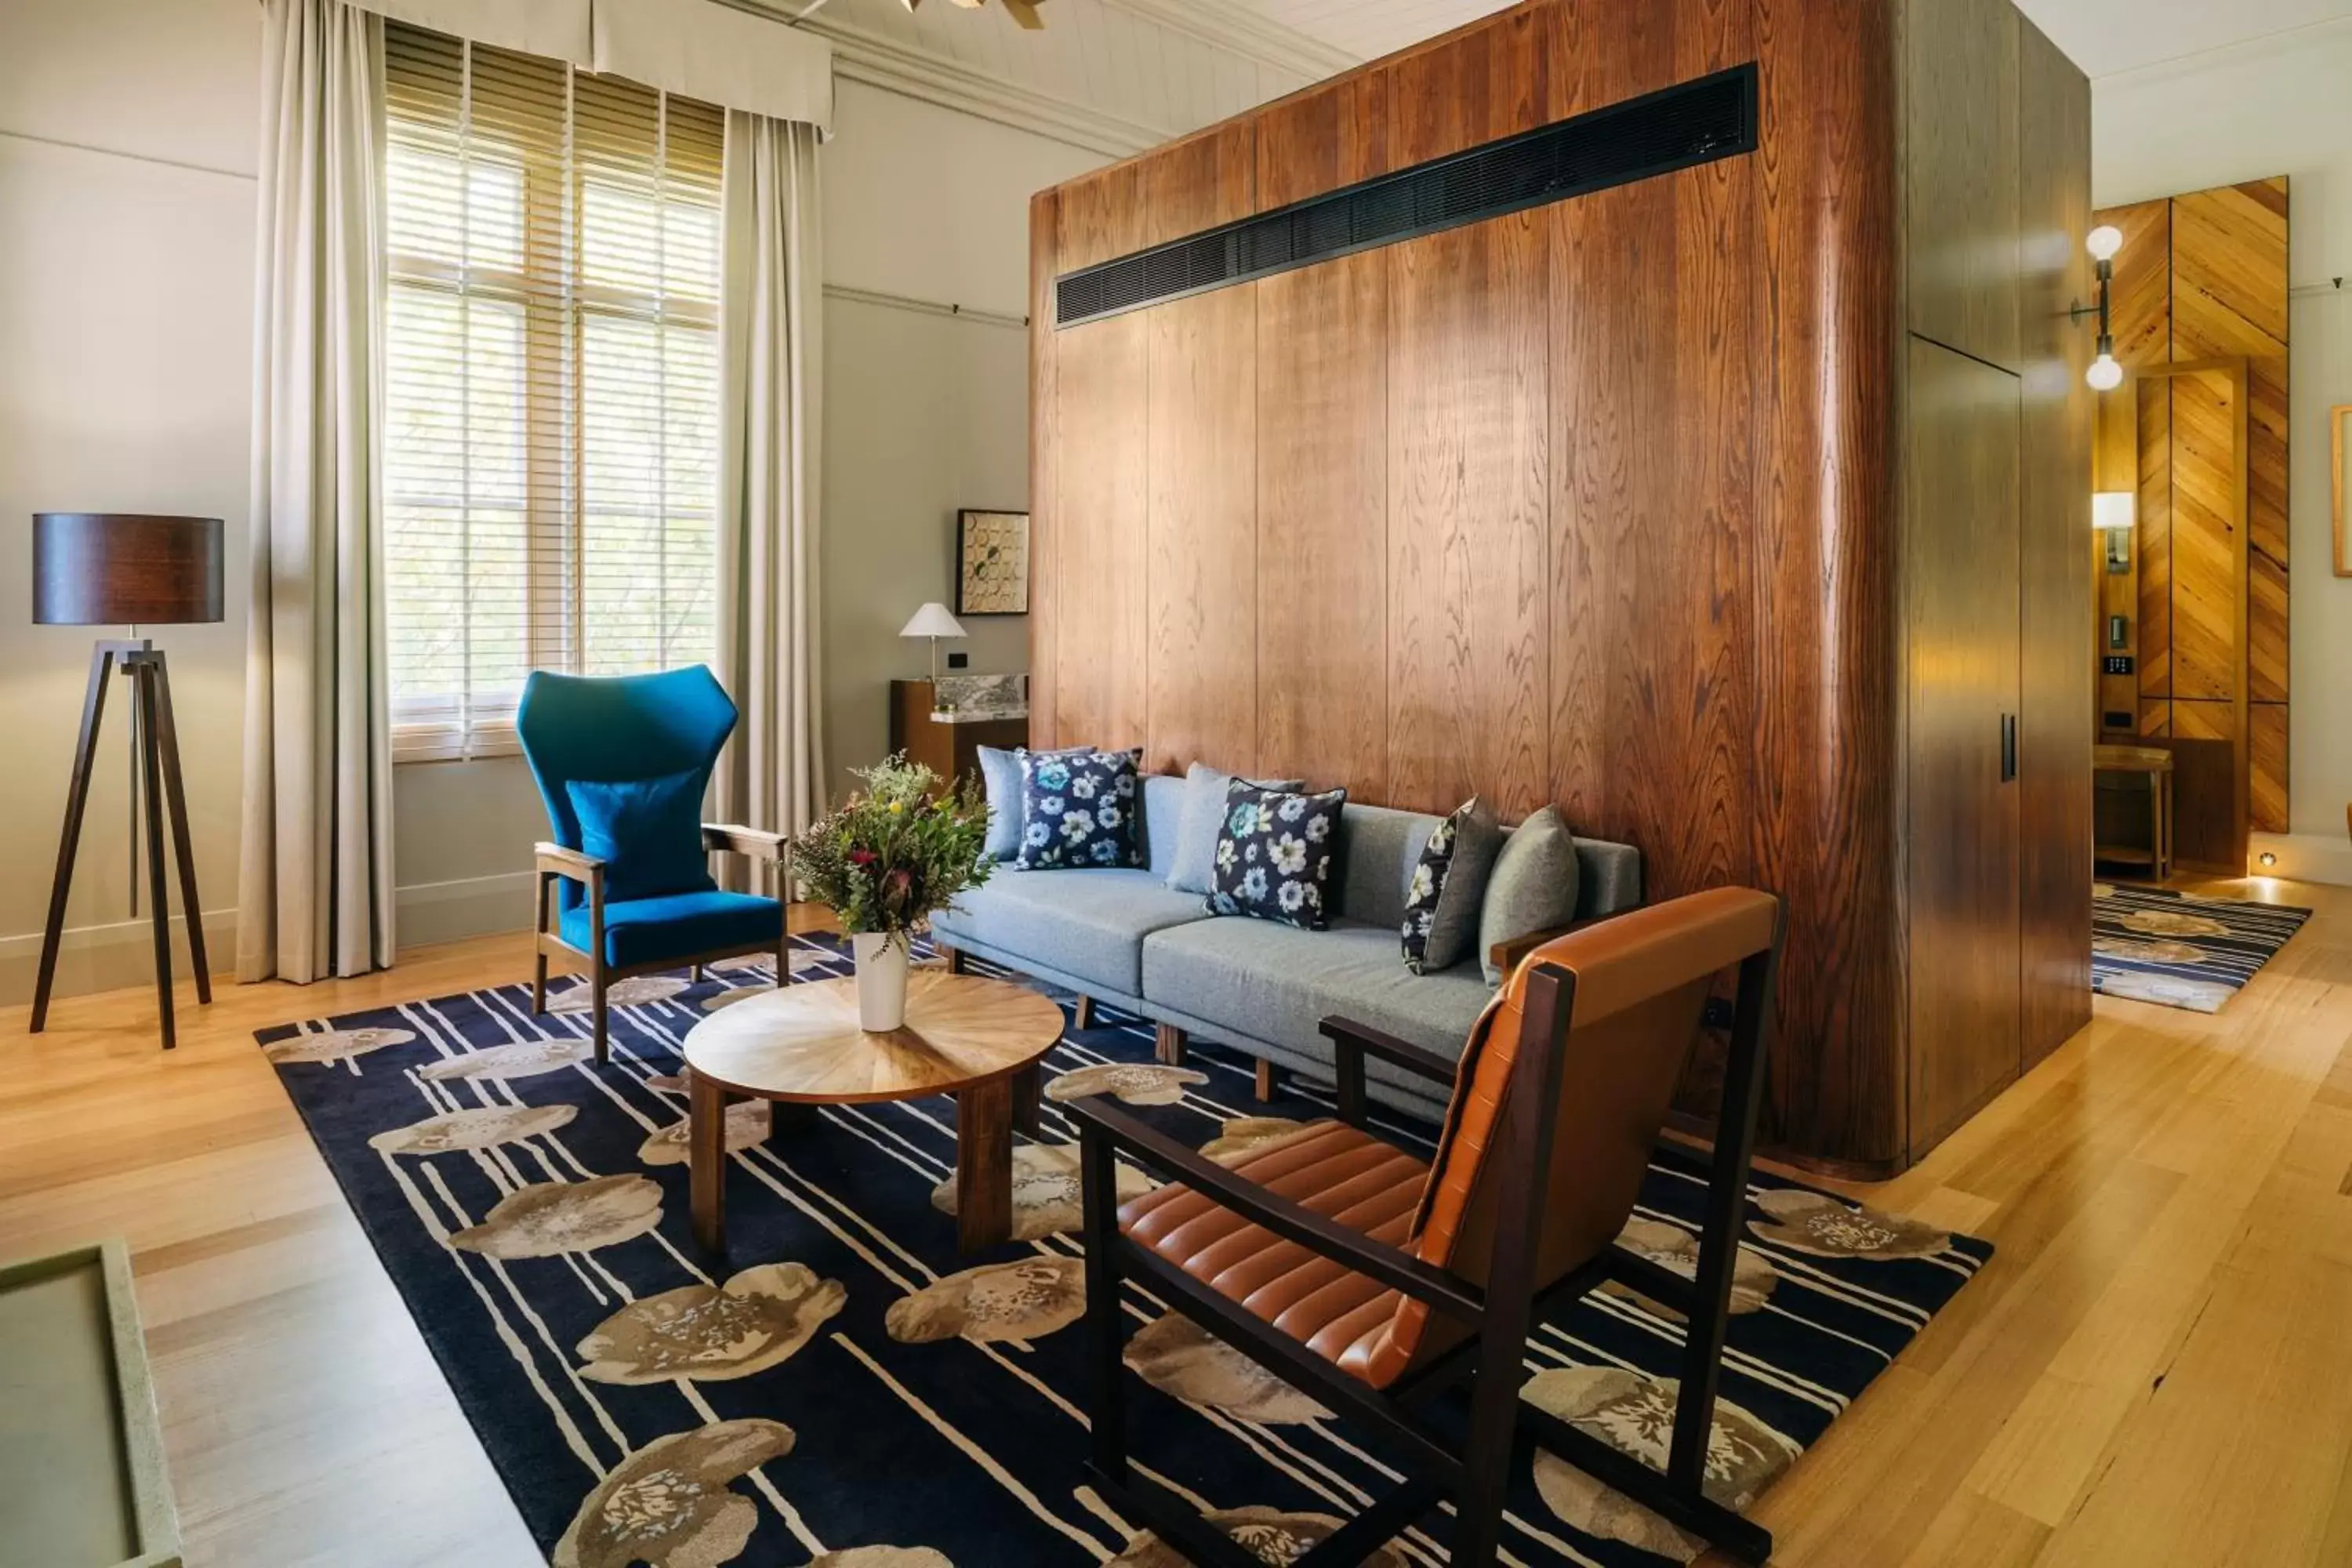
(963, 1036)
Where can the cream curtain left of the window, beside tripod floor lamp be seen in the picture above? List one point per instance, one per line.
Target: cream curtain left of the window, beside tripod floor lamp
(316, 880)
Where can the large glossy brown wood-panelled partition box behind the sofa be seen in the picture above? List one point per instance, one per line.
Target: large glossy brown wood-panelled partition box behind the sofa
(1591, 504)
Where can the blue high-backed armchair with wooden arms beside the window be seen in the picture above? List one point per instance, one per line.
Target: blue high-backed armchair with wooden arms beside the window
(622, 765)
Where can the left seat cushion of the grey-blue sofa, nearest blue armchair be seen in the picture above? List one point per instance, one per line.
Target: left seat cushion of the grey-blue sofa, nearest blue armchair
(1083, 923)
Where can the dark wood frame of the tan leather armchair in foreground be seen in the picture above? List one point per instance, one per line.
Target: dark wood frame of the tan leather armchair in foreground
(1476, 1473)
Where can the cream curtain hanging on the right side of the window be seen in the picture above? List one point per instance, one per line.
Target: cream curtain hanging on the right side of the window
(770, 359)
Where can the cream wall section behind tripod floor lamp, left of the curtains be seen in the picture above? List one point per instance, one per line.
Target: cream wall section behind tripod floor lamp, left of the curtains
(126, 370)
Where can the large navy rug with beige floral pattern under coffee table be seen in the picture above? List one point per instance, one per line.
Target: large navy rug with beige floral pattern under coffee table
(853, 1393)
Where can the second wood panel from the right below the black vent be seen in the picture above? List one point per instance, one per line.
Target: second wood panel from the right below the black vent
(1466, 518)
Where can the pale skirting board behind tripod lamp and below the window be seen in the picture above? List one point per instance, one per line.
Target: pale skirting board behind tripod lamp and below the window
(121, 953)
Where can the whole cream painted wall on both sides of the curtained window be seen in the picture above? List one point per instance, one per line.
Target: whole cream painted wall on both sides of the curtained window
(126, 349)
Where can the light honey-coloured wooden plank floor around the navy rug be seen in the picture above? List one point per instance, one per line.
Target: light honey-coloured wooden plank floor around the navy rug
(2153, 1372)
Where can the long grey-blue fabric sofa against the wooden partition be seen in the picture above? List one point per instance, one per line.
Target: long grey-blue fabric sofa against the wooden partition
(1121, 937)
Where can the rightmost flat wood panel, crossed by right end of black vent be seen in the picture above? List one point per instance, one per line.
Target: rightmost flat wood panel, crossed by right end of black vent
(1655, 662)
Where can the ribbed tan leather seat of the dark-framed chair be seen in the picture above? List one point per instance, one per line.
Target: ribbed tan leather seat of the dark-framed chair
(1332, 1170)
